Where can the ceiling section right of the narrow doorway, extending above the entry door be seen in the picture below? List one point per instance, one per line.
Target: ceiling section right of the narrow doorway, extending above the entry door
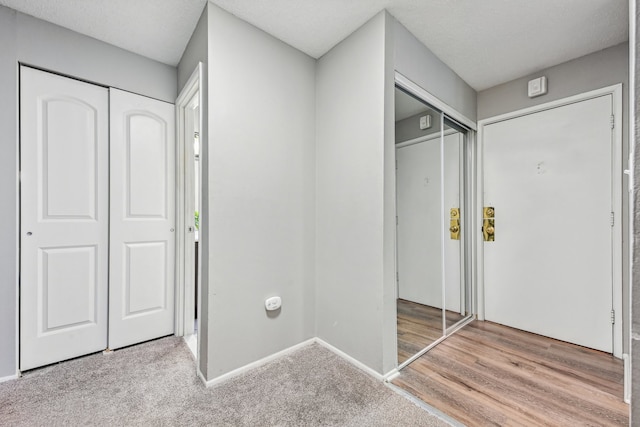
(486, 42)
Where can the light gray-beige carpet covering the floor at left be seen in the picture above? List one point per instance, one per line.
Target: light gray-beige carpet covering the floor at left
(155, 384)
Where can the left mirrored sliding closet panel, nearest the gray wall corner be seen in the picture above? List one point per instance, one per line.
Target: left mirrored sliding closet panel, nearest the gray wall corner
(419, 226)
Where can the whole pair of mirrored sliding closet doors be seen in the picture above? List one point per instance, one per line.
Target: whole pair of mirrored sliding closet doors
(432, 293)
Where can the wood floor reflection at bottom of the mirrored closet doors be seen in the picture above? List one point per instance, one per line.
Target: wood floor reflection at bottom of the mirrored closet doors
(418, 326)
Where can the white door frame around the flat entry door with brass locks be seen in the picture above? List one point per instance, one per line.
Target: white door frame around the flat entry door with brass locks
(616, 92)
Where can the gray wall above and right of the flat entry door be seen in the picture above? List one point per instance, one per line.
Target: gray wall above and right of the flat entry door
(600, 69)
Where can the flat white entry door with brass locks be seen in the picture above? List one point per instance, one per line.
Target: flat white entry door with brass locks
(549, 177)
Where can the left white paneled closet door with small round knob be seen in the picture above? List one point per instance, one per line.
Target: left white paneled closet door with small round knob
(64, 218)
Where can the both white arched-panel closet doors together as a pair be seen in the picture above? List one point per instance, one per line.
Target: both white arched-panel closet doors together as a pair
(97, 212)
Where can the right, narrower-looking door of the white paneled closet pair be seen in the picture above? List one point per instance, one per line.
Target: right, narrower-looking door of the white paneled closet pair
(142, 226)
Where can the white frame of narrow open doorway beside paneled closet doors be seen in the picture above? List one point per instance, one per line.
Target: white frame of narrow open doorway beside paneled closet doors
(185, 259)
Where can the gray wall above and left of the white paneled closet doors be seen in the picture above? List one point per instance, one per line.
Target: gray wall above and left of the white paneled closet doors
(44, 45)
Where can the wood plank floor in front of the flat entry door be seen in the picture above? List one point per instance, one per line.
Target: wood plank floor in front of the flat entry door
(492, 375)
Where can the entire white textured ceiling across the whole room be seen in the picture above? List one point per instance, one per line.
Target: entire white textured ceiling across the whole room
(486, 42)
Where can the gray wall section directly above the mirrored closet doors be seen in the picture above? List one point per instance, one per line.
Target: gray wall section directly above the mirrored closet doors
(416, 62)
